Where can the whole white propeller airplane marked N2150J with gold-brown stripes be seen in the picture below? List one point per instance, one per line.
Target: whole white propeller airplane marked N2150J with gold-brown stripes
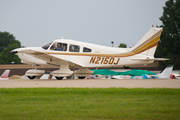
(68, 53)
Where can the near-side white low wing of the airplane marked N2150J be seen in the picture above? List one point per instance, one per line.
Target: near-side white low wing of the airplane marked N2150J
(53, 60)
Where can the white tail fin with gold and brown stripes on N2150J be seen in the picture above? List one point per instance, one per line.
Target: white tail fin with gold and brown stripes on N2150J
(147, 45)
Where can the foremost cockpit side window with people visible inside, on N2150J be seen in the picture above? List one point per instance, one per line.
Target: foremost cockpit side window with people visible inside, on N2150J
(58, 46)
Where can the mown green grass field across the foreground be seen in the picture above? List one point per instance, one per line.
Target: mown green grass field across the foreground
(89, 103)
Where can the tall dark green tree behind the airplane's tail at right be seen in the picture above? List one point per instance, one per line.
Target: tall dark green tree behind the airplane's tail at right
(169, 44)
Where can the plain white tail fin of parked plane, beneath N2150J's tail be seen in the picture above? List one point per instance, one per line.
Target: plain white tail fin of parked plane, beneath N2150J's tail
(165, 74)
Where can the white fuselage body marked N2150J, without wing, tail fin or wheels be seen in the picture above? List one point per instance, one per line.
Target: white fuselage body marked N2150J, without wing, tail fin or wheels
(99, 56)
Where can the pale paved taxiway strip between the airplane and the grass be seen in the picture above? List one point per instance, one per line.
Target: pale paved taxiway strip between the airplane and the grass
(97, 83)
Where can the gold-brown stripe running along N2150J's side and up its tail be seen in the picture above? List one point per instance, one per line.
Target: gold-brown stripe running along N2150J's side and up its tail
(143, 47)
